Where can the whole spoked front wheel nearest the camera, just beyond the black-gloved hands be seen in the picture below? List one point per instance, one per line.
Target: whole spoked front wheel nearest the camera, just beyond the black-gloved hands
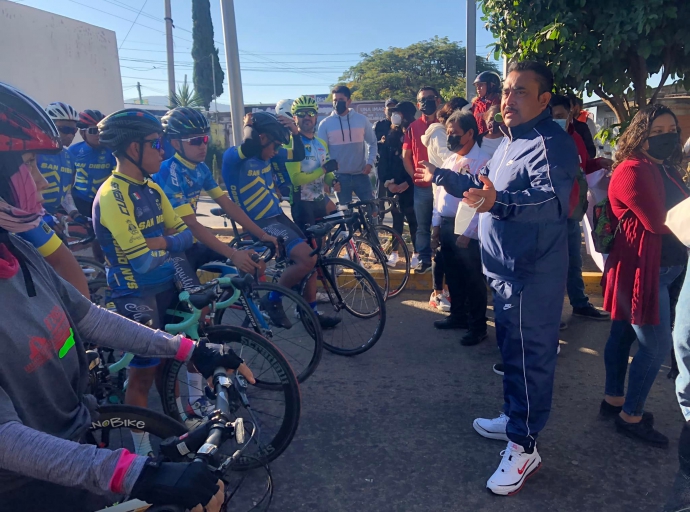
(274, 402)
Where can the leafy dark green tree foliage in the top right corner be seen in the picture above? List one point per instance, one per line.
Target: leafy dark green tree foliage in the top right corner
(605, 47)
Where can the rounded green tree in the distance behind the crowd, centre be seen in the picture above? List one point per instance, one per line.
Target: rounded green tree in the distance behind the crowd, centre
(401, 72)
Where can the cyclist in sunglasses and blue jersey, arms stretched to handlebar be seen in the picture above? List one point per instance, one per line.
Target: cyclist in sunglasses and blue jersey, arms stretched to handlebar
(185, 175)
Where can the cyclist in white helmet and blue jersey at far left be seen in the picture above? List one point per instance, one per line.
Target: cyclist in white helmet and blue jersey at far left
(58, 169)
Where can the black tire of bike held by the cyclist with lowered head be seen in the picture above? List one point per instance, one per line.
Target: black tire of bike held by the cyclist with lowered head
(329, 335)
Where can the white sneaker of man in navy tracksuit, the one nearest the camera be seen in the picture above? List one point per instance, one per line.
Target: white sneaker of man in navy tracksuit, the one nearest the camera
(515, 468)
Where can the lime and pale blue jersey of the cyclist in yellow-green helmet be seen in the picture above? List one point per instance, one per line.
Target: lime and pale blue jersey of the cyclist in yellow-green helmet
(307, 176)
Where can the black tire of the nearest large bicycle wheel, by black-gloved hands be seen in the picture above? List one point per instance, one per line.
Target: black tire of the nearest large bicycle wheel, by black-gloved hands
(269, 449)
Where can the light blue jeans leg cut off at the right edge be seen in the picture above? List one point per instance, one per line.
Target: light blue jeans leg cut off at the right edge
(681, 344)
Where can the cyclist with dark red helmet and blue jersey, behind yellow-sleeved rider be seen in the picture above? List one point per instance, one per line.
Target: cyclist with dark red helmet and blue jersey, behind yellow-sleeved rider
(93, 163)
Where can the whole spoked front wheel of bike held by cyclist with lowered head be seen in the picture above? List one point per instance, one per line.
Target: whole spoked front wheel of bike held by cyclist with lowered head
(355, 298)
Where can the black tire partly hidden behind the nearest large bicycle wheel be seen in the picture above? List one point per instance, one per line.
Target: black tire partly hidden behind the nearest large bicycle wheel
(308, 319)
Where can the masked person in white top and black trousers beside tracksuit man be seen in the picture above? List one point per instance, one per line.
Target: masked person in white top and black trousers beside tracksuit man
(462, 258)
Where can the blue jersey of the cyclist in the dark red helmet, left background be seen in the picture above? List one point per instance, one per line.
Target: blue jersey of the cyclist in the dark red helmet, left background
(92, 167)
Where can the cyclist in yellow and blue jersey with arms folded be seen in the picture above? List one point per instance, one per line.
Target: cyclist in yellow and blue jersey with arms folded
(132, 218)
